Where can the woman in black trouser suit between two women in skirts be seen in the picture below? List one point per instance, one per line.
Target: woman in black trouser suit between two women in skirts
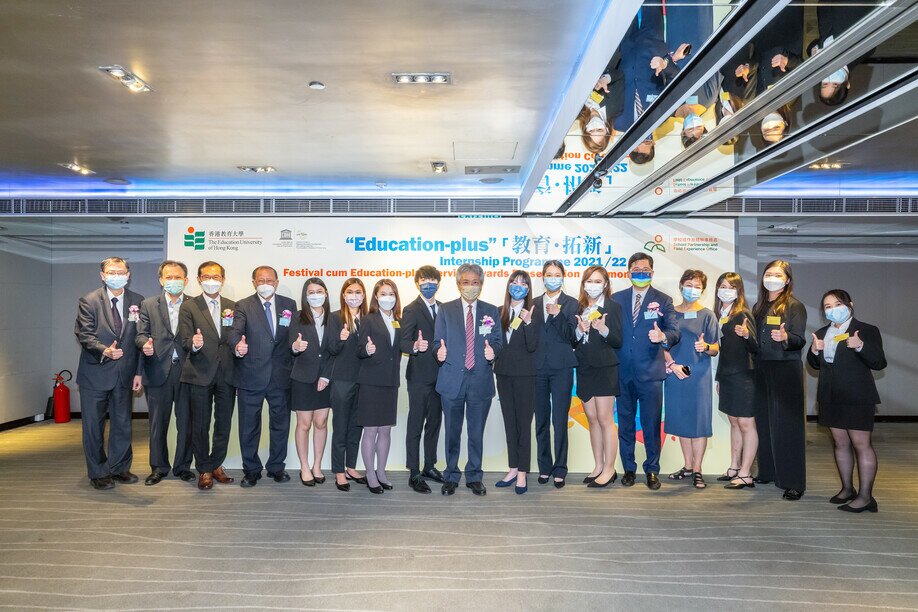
(343, 371)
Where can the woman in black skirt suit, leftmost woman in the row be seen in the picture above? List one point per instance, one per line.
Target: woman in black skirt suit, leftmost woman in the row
(309, 394)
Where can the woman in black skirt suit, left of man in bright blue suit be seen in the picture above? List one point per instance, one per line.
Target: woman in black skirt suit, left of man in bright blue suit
(598, 334)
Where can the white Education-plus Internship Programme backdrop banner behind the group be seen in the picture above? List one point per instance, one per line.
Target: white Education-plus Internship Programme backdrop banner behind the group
(335, 249)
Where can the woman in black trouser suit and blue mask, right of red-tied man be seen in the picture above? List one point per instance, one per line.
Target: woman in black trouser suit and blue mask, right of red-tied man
(515, 372)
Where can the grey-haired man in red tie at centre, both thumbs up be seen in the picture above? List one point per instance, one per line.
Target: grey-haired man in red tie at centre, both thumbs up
(467, 338)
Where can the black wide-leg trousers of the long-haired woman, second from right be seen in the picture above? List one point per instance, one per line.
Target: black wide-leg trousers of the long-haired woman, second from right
(780, 418)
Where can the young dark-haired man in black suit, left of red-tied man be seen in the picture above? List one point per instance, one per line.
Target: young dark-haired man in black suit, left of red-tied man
(424, 411)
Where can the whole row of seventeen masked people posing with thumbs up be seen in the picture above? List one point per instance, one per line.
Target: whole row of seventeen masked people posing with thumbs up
(198, 357)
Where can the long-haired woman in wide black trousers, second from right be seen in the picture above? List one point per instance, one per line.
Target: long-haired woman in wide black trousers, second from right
(780, 415)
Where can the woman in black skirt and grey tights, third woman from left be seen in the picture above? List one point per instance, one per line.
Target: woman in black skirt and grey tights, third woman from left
(377, 400)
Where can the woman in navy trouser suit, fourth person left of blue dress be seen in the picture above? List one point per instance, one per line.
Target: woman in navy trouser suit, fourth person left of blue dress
(554, 363)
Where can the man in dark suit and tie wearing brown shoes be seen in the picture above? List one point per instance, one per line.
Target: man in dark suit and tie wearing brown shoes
(207, 375)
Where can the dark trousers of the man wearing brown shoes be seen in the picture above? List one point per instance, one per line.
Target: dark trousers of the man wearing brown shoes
(213, 403)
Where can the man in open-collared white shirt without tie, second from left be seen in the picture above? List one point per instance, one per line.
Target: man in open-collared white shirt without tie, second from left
(163, 353)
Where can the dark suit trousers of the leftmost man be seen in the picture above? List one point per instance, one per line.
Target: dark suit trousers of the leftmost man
(95, 405)
